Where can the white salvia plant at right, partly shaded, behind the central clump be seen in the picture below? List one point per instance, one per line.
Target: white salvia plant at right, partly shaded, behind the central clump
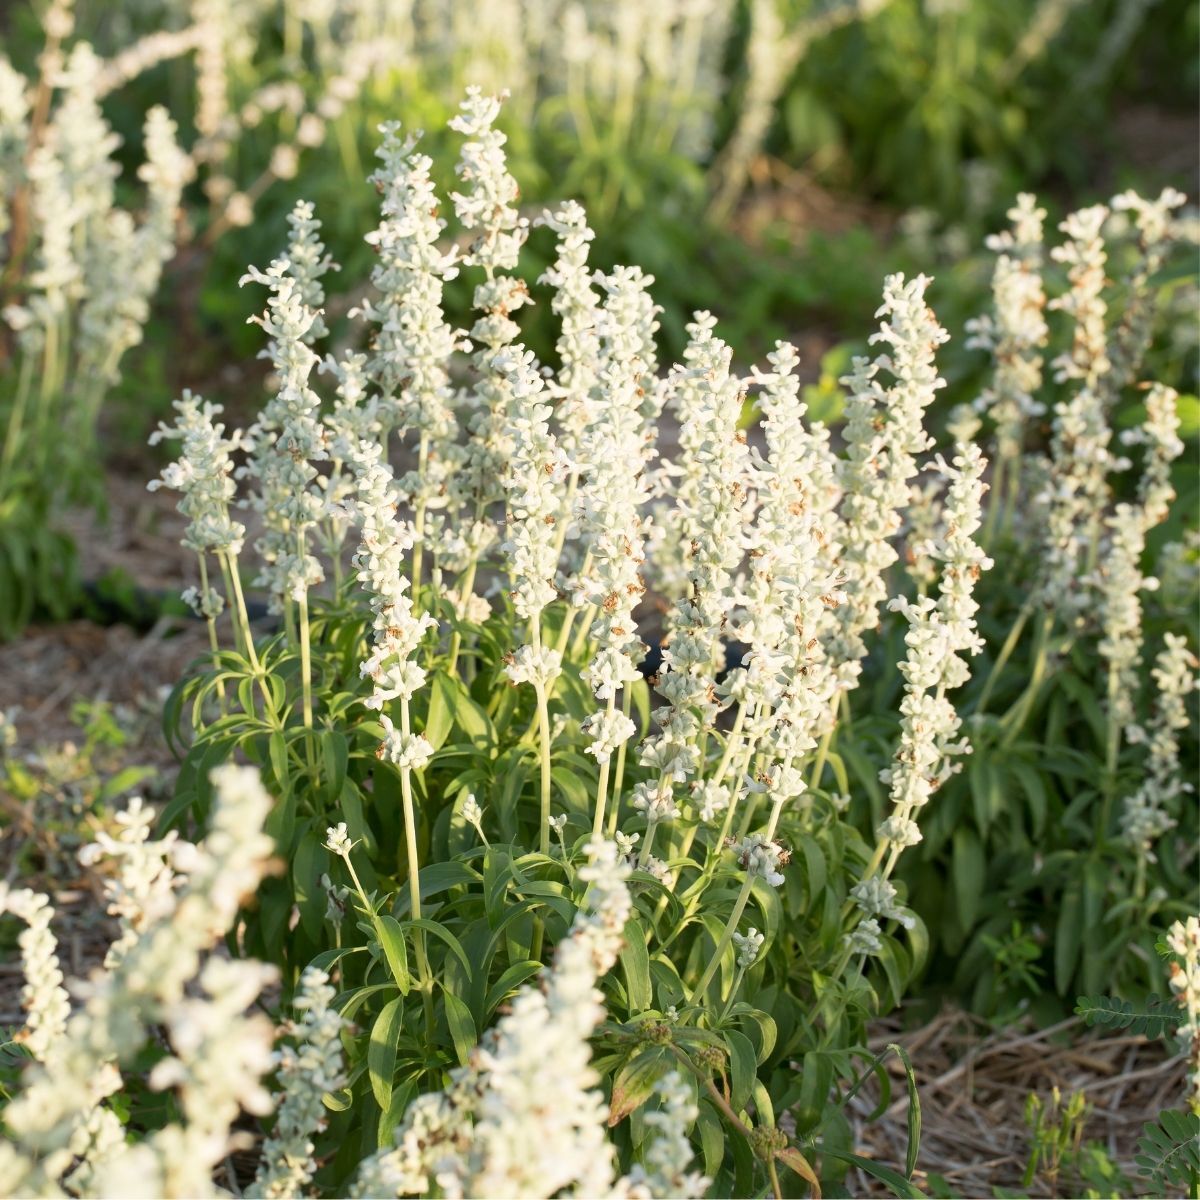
(1077, 815)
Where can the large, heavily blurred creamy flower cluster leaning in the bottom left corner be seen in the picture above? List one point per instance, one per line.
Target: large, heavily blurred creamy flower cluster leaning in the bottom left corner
(63, 1136)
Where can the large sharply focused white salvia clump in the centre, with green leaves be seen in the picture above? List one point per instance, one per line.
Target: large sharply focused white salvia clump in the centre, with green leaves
(458, 545)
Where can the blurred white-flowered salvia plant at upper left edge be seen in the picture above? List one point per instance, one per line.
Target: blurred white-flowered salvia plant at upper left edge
(79, 274)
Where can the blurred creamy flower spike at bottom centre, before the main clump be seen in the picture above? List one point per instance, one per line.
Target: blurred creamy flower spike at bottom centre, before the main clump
(506, 1126)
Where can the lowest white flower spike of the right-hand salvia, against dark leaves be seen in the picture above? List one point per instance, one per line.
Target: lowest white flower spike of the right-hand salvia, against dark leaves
(1150, 812)
